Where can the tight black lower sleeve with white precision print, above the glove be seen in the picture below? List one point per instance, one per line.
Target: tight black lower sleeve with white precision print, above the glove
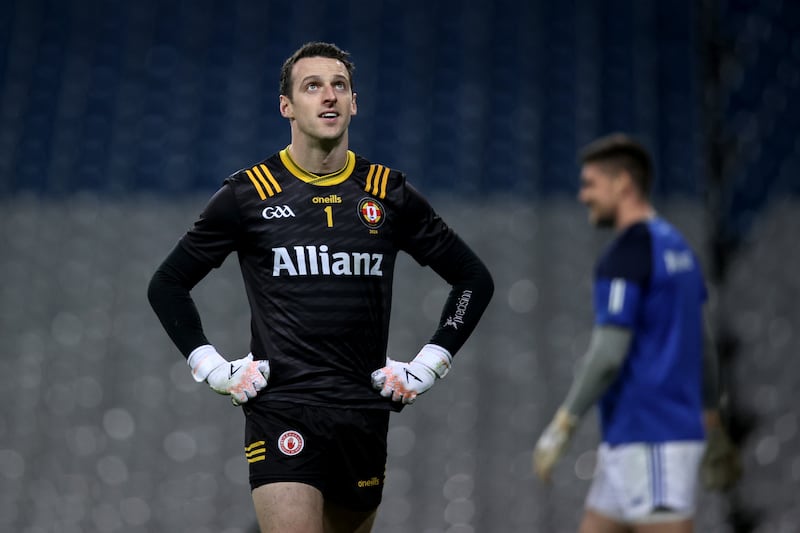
(471, 290)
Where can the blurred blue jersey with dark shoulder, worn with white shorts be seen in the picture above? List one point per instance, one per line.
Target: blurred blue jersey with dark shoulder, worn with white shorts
(649, 281)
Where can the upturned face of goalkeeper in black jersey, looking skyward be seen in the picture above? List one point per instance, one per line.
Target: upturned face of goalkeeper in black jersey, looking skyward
(322, 101)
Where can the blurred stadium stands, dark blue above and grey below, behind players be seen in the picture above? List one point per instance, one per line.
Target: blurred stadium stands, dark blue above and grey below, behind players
(118, 120)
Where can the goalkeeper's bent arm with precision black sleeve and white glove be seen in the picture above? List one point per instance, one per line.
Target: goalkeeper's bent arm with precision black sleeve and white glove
(471, 290)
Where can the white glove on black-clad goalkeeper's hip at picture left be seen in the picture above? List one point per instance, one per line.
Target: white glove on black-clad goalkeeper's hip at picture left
(241, 378)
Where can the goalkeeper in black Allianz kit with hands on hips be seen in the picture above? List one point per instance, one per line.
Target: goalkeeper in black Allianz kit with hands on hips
(316, 229)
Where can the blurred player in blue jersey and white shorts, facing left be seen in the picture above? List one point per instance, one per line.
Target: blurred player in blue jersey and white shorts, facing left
(650, 364)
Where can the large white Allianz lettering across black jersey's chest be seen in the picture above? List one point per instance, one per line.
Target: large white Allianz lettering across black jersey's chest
(320, 261)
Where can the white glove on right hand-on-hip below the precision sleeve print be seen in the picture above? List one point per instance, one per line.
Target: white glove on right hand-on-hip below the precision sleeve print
(404, 381)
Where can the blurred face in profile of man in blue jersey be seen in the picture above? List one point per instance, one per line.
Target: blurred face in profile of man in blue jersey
(600, 192)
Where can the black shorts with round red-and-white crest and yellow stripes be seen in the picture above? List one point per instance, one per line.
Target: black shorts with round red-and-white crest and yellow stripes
(341, 452)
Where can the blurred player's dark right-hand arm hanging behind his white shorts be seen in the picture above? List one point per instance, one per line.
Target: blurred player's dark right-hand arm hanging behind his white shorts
(720, 467)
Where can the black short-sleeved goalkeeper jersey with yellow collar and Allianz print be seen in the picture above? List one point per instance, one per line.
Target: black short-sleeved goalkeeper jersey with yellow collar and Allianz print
(317, 255)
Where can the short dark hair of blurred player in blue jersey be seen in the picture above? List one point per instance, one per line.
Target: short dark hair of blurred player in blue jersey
(622, 152)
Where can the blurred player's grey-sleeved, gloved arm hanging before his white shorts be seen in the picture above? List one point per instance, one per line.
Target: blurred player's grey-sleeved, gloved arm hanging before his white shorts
(599, 368)
